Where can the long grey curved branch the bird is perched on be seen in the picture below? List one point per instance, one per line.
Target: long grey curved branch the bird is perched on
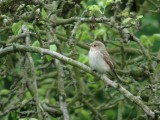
(126, 93)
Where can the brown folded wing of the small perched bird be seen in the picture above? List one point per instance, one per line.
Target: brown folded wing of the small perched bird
(107, 58)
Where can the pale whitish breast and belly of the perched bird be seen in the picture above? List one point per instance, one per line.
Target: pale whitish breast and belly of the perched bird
(97, 62)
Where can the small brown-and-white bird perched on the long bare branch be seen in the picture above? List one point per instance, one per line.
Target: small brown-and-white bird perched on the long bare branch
(99, 59)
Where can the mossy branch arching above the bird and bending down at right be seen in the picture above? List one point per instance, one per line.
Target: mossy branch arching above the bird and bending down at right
(126, 35)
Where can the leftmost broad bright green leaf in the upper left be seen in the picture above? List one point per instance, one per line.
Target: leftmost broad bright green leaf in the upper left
(16, 27)
